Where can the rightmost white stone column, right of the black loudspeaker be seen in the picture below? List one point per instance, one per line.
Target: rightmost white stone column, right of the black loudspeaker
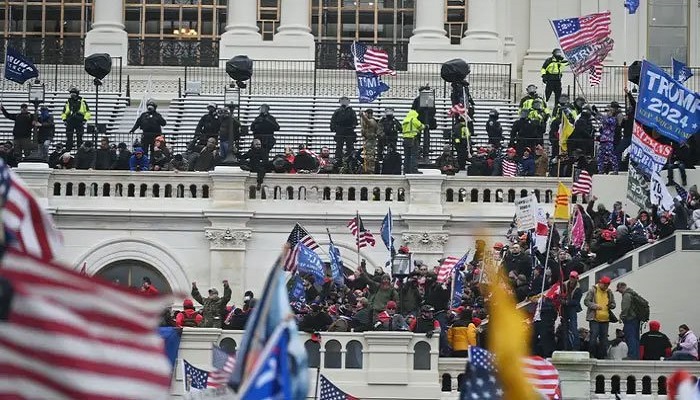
(482, 39)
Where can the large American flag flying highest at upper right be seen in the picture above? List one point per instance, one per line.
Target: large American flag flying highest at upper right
(578, 31)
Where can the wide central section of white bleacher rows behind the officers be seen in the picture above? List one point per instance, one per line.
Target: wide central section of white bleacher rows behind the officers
(307, 119)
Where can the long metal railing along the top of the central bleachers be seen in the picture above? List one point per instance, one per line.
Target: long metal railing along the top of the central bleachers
(305, 78)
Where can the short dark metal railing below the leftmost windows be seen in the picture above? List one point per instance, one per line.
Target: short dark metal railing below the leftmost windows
(61, 68)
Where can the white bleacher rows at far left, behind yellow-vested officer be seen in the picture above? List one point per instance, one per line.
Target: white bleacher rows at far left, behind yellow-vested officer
(111, 111)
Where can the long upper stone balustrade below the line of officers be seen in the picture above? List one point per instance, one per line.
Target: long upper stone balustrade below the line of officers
(229, 187)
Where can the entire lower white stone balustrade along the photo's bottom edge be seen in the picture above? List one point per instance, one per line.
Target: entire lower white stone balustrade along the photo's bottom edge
(403, 365)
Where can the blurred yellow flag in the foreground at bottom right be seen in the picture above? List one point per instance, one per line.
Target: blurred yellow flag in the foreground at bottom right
(509, 339)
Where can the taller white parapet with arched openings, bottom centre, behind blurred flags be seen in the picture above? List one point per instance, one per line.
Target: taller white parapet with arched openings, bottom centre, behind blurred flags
(367, 365)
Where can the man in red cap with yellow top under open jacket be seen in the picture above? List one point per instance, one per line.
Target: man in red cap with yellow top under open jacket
(599, 302)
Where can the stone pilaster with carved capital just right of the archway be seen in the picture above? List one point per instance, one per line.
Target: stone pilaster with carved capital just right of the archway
(227, 258)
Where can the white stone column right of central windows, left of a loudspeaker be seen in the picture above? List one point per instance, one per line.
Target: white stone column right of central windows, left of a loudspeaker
(429, 41)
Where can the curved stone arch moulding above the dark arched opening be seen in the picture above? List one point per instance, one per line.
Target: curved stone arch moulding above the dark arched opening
(158, 257)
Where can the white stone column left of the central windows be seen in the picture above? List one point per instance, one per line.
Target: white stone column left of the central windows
(293, 40)
